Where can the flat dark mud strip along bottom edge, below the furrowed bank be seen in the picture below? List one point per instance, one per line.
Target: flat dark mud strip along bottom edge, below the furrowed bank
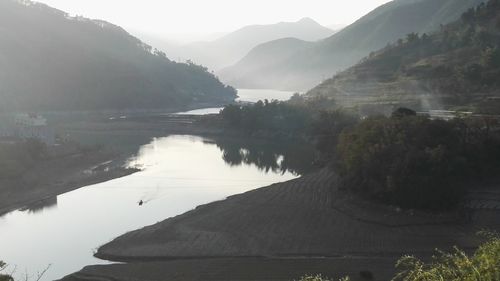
(239, 269)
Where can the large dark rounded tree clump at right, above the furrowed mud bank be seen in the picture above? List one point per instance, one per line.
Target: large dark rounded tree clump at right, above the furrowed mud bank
(413, 161)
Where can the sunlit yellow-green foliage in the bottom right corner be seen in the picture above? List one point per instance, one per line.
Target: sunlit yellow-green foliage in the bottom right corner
(483, 265)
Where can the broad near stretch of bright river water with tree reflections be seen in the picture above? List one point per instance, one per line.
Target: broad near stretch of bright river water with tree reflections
(178, 174)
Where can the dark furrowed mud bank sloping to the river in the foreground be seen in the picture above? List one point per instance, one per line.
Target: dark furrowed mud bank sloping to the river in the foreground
(305, 225)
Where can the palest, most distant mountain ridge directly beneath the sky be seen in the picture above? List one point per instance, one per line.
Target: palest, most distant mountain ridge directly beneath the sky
(230, 48)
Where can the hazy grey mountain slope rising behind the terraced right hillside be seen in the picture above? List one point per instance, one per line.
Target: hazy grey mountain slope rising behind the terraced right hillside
(309, 66)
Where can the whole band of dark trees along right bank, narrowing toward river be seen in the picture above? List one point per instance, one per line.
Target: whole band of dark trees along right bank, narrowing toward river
(405, 160)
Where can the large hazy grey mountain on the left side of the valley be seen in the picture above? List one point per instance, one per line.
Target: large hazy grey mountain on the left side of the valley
(51, 61)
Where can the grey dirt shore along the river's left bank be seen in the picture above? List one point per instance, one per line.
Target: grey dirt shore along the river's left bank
(52, 177)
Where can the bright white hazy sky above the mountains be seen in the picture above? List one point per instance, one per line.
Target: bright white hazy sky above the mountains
(162, 17)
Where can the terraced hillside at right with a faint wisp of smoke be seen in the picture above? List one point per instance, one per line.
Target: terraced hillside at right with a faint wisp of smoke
(456, 67)
